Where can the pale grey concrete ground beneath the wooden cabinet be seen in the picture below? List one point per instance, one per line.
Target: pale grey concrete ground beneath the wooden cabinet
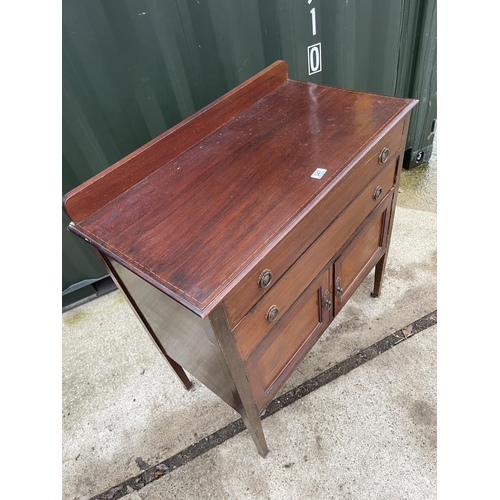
(370, 434)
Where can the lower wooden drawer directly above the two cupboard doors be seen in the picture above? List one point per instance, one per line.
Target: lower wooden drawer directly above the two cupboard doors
(255, 325)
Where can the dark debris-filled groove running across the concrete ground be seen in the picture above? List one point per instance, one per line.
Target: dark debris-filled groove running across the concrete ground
(208, 443)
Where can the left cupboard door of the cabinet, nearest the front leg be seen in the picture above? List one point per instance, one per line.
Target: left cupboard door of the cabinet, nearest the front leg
(290, 340)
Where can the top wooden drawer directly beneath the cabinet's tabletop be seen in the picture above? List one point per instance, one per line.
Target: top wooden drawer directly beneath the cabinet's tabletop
(271, 267)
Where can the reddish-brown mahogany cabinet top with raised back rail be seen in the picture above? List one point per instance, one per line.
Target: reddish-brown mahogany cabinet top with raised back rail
(196, 224)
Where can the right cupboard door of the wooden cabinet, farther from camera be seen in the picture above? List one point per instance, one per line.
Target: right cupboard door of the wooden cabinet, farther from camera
(361, 254)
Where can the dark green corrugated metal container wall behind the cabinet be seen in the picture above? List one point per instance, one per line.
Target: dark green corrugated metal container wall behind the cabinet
(134, 68)
